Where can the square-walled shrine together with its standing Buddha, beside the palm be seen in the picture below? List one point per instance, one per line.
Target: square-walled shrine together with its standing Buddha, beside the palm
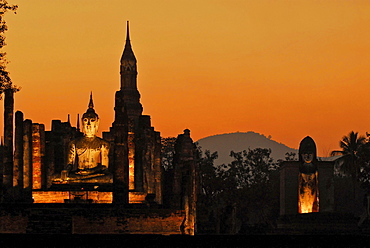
(307, 185)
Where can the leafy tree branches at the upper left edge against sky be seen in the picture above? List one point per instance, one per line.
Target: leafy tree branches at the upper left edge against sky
(5, 81)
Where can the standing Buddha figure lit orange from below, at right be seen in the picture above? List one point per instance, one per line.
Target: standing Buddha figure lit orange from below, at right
(308, 188)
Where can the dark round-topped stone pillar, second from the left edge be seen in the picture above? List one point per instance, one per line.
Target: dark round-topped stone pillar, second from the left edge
(18, 156)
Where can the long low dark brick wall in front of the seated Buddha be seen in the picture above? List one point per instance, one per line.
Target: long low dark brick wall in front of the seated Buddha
(89, 220)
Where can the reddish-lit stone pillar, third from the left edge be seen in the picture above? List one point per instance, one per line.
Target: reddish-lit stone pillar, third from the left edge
(27, 160)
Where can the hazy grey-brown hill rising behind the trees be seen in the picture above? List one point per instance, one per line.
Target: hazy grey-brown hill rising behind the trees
(237, 142)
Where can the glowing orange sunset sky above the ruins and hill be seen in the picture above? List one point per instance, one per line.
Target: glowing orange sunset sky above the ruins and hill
(285, 68)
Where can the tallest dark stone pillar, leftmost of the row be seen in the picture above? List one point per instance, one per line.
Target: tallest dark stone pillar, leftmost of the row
(8, 139)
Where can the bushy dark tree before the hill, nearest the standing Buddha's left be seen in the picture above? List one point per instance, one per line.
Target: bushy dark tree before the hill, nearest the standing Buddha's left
(250, 175)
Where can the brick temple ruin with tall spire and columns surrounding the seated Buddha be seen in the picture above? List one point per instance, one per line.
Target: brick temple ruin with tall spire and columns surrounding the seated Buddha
(134, 160)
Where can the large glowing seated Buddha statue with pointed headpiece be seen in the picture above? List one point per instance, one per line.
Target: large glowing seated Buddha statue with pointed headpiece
(88, 155)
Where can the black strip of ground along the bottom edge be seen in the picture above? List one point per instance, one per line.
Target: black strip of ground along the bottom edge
(35, 240)
